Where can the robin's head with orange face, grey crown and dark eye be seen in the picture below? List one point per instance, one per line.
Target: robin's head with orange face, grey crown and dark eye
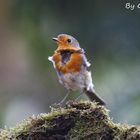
(66, 42)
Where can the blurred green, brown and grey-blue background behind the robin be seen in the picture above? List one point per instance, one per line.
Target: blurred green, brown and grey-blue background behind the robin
(109, 33)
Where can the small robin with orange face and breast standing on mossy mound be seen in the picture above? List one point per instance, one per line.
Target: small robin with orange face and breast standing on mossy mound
(71, 65)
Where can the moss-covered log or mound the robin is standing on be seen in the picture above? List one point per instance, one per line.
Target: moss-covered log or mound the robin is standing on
(82, 120)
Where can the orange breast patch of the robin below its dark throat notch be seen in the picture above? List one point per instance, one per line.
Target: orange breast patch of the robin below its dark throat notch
(72, 65)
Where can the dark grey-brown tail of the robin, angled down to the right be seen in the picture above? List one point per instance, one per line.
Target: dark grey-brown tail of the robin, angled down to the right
(94, 97)
